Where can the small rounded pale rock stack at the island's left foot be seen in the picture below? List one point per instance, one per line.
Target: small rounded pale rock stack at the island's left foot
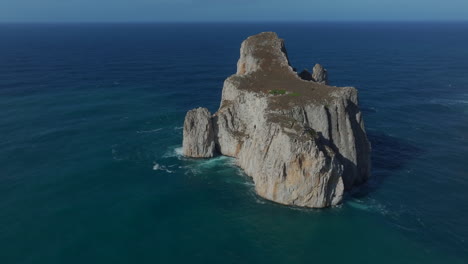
(198, 134)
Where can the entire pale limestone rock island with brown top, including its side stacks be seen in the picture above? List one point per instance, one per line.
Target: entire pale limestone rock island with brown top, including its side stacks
(301, 141)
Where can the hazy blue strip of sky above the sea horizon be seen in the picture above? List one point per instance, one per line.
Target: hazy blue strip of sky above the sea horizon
(230, 10)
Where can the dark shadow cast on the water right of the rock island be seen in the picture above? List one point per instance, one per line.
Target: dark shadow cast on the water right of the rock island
(389, 154)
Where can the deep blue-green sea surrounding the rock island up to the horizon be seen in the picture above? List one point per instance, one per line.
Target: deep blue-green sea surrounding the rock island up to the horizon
(90, 129)
